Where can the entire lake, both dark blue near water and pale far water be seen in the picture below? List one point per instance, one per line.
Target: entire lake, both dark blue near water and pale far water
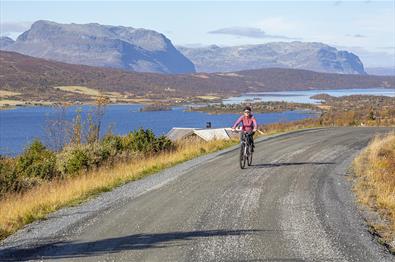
(18, 127)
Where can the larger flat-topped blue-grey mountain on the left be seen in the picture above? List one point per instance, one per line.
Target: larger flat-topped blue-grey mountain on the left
(93, 44)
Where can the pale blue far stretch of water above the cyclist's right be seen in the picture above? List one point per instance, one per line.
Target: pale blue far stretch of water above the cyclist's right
(304, 96)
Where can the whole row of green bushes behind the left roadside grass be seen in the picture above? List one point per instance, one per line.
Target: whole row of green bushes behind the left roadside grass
(37, 163)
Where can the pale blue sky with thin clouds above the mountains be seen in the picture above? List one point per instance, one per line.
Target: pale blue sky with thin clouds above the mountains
(366, 28)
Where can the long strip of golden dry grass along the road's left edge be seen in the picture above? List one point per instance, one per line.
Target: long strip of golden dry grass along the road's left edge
(17, 210)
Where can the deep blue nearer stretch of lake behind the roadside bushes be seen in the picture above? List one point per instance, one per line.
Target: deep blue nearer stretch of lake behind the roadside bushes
(18, 127)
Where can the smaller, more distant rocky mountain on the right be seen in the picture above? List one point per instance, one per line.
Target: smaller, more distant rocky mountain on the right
(296, 55)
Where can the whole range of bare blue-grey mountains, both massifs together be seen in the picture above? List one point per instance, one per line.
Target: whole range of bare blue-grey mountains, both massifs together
(143, 50)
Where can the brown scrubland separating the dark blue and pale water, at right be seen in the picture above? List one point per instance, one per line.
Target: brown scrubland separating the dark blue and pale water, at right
(354, 110)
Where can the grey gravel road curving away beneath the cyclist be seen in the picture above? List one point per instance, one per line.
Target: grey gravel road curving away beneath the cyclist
(293, 204)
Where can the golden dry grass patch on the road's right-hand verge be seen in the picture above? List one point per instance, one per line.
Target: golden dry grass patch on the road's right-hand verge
(375, 183)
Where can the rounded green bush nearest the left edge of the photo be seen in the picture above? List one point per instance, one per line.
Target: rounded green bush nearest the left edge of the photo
(36, 161)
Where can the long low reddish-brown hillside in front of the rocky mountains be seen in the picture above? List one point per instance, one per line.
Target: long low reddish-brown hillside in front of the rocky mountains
(35, 78)
